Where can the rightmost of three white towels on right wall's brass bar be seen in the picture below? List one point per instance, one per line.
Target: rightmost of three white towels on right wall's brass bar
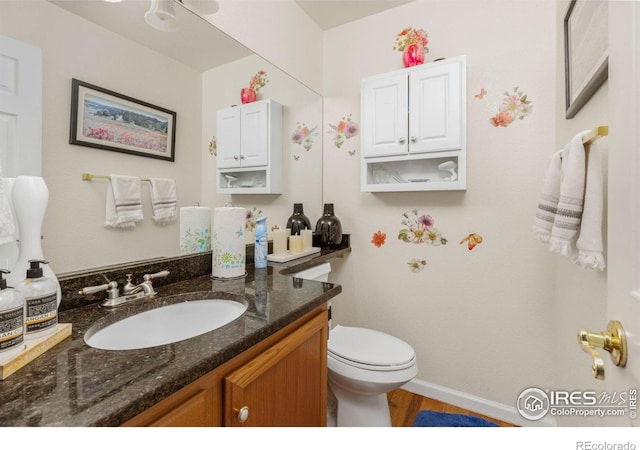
(589, 243)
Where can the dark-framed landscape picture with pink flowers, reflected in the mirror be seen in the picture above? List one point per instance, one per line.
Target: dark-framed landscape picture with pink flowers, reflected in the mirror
(107, 120)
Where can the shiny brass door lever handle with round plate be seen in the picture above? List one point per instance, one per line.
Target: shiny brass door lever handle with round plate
(613, 340)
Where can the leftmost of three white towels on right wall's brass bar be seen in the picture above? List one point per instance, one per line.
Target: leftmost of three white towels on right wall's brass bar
(548, 203)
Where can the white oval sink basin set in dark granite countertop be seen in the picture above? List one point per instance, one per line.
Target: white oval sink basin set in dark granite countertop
(165, 325)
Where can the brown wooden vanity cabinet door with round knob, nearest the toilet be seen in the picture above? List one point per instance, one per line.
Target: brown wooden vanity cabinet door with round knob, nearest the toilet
(284, 386)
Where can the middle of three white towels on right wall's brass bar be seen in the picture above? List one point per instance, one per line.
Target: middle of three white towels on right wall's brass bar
(571, 201)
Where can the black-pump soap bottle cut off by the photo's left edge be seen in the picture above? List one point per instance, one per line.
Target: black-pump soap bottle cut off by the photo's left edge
(11, 319)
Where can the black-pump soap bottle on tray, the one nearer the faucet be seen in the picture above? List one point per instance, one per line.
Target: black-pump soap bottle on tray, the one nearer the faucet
(41, 303)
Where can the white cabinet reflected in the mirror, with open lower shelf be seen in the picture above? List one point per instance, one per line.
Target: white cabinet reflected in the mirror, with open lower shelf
(249, 140)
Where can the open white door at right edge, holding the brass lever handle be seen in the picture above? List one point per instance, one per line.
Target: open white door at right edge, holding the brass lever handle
(623, 272)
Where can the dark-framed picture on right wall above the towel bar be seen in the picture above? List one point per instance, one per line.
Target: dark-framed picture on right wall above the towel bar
(586, 52)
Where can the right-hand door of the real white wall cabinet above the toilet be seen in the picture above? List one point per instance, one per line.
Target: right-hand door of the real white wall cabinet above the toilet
(436, 106)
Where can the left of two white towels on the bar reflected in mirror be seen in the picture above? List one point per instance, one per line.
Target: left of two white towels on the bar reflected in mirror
(124, 202)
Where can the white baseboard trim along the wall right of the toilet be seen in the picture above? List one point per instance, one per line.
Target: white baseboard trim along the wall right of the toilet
(476, 404)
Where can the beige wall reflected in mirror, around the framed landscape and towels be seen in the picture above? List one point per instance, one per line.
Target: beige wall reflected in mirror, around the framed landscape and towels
(75, 48)
